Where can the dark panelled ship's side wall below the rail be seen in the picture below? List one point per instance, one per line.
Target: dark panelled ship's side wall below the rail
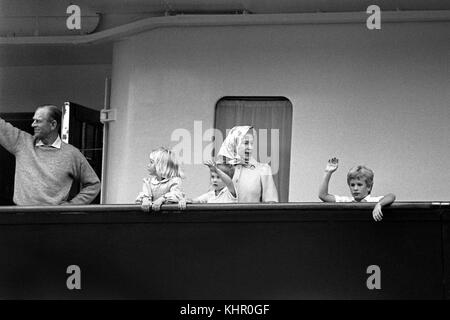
(277, 251)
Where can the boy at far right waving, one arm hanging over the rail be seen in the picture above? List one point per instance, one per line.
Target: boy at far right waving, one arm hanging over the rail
(360, 182)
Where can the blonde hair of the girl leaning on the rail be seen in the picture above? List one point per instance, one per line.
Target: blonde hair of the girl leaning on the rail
(166, 163)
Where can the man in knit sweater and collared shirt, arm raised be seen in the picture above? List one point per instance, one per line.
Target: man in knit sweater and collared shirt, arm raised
(45, 165)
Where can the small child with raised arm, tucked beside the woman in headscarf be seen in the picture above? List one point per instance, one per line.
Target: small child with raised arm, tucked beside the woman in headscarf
(223, 187)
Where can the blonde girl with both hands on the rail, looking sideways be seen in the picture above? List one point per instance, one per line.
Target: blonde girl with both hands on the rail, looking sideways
(164, 183)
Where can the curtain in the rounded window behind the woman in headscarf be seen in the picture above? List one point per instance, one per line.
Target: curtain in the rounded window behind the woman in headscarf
(272, 120)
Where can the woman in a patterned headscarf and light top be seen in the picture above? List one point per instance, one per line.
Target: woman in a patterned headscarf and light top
(253, 180)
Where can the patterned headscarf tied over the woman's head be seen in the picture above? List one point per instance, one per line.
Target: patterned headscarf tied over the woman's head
(228, 151)
